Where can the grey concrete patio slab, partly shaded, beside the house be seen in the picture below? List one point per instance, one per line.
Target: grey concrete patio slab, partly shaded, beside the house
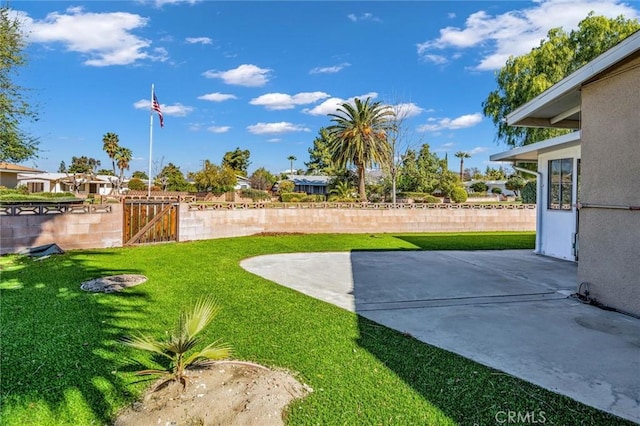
(505, 309)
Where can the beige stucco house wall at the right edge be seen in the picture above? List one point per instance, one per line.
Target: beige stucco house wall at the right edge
(609, 256)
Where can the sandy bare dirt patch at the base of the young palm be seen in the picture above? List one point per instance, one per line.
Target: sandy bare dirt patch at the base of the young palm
(226, 393)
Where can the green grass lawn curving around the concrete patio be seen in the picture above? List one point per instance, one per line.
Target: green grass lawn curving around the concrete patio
(61, 363)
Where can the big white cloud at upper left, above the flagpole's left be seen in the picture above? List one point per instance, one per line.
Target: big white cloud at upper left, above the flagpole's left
(103, 38)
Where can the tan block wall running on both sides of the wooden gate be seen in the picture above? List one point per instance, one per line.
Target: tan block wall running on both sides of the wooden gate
(104, 229)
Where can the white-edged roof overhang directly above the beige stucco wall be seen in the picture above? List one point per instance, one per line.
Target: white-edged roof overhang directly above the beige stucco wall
(559, 106)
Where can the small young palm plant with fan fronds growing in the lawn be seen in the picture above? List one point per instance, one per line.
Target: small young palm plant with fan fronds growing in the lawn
(185, 339)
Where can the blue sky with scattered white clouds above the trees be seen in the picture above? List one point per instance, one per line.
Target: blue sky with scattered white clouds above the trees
(264, 75)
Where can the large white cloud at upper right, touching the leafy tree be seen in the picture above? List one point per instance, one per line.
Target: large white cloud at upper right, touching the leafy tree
(516, 32)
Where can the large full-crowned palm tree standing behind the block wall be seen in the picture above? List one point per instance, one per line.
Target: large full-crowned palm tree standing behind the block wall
(359, 137)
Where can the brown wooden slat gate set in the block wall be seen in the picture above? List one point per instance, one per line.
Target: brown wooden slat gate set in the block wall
(149, 221)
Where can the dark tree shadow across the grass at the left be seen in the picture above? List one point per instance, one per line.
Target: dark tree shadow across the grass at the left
(60, 357)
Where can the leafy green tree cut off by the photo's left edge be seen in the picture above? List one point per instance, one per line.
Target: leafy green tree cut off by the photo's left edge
(15, 144)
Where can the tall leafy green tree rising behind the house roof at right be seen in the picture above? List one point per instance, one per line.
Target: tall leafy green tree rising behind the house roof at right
(524, 77)
